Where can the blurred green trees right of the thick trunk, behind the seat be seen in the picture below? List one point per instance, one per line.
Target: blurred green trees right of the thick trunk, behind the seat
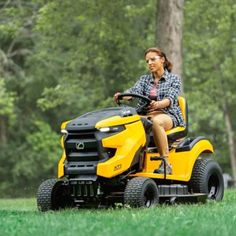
(209, 65)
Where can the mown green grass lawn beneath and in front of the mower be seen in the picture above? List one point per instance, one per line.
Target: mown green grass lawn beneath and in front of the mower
(20, 217)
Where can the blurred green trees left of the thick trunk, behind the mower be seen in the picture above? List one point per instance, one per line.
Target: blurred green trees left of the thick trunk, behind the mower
(69, 58)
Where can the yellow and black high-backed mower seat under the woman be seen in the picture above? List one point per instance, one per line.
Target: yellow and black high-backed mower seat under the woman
(179, 131)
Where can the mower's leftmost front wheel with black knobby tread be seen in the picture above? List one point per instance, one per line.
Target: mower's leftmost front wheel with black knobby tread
(53, 194)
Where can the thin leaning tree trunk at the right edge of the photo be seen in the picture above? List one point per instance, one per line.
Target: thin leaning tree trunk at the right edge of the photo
(230, 134)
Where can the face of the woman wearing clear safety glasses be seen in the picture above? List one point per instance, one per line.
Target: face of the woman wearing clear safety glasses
(154, 62)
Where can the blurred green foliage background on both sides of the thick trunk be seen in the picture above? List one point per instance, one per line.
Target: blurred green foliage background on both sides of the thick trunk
(59, 59)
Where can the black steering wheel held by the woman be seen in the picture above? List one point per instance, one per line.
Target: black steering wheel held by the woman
(140, 110)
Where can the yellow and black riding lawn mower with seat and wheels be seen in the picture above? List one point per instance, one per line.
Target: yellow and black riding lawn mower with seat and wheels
(109, 157)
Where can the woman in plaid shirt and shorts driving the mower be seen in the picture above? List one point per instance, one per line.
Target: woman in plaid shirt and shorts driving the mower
(163, 88)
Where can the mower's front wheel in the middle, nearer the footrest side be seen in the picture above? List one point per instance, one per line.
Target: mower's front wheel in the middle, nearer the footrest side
(141, 192)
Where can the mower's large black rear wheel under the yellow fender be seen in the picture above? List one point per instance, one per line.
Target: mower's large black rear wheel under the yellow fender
(207, 178)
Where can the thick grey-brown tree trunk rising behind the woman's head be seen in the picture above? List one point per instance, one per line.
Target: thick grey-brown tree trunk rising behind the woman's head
(169, 27)
